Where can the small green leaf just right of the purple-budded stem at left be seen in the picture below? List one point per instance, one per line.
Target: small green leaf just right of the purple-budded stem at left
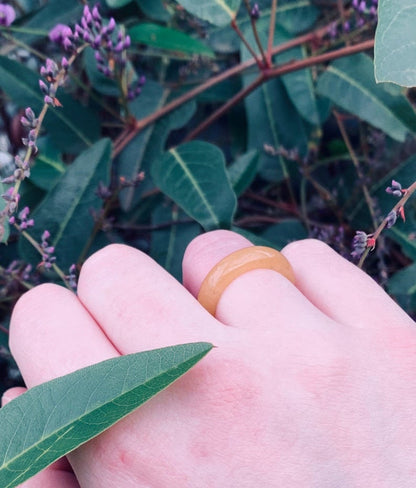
(48, 167)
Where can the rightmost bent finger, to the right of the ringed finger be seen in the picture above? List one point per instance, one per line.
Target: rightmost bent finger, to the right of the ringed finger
(340, 289)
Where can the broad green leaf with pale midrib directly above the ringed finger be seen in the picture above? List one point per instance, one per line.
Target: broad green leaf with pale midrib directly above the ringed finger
(194, 176)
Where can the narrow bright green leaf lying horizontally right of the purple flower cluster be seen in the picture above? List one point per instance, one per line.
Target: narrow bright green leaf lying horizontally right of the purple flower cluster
(168, 39)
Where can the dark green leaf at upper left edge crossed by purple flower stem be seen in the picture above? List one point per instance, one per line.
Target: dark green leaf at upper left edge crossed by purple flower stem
(70, 126)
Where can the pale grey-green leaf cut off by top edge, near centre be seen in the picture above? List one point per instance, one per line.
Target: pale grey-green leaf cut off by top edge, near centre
(218, 12)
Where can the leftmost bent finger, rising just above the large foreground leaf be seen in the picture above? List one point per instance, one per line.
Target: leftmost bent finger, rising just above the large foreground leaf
(51, 334)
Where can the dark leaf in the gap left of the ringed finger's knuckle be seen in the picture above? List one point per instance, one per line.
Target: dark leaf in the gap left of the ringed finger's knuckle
(169, 242)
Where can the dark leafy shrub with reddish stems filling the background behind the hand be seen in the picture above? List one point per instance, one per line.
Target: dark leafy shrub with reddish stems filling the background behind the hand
(304, 149)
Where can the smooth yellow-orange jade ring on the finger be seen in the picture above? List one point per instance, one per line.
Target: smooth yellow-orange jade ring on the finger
(236, 264)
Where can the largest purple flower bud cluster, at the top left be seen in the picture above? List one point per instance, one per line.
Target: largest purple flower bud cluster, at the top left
(109, 42)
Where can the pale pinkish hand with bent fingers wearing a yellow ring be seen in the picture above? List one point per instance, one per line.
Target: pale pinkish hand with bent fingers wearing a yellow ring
(308, 387)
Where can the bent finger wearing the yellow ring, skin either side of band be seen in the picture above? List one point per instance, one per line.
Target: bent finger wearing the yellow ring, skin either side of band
(257, 297)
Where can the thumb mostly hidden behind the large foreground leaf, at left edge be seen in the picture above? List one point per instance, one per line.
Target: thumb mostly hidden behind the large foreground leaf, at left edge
(58, 474)
